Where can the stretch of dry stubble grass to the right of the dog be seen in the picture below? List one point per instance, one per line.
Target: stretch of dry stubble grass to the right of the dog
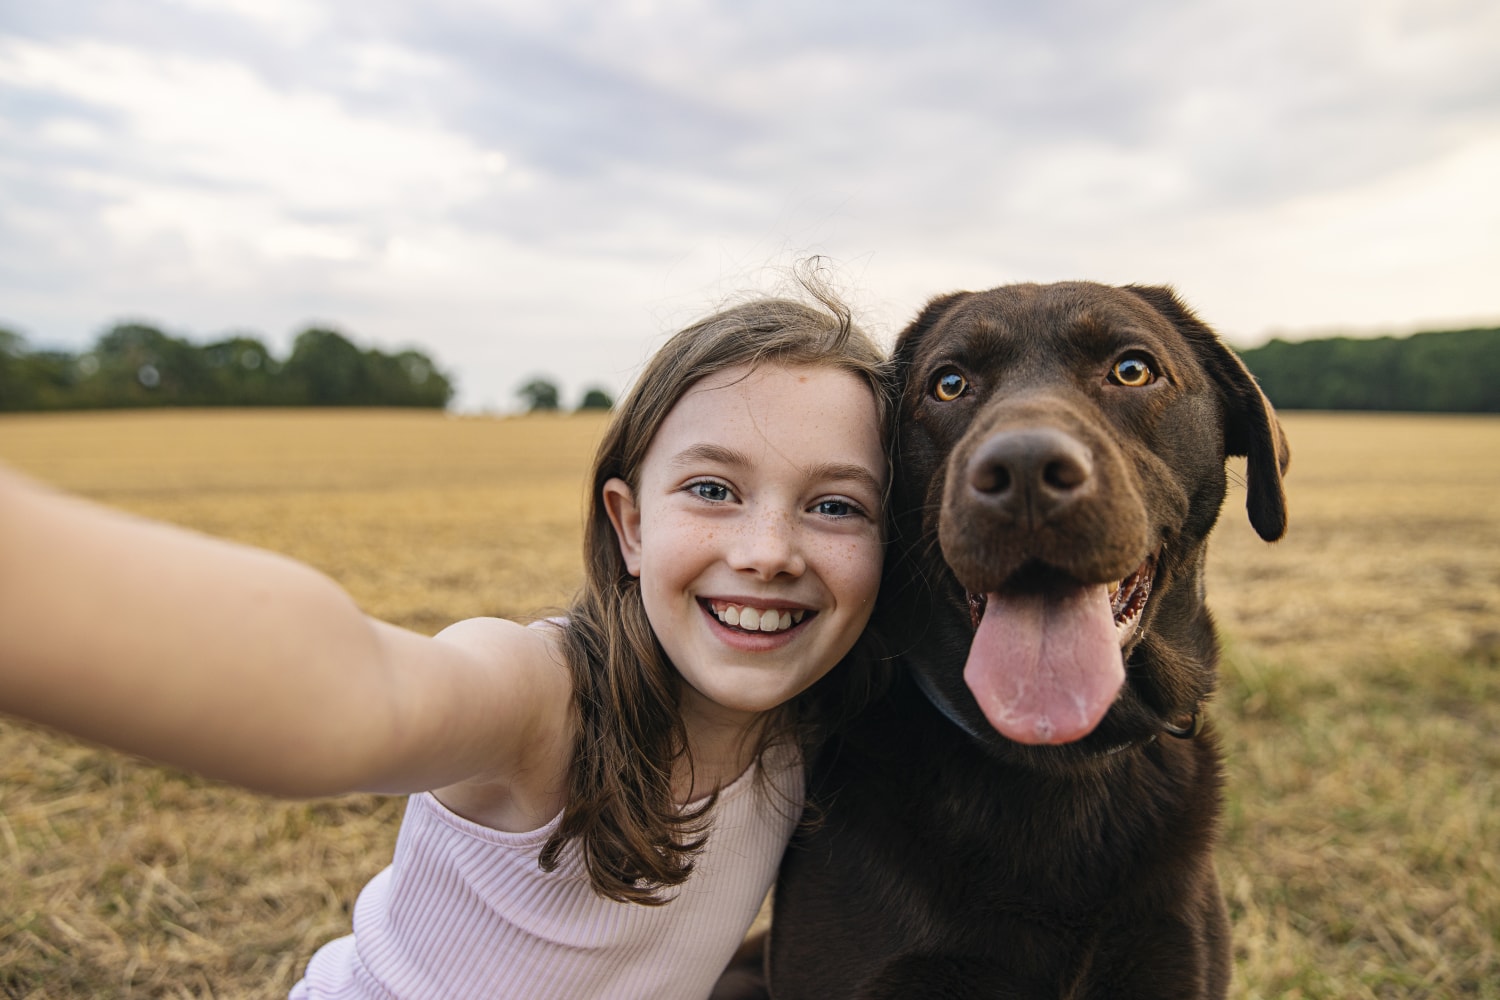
(1363, 711)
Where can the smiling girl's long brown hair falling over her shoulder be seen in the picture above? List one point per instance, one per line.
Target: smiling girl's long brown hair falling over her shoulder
(634, 837)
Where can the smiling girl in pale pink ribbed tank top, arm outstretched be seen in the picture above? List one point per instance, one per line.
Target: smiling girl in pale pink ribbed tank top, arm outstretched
(601, 800)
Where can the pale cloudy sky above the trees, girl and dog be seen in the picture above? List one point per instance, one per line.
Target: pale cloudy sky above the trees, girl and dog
(550, 188)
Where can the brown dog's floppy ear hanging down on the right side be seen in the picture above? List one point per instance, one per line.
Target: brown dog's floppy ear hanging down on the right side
(1250, 425)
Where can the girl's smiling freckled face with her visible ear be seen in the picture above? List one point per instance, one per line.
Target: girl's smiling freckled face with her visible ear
(757, 533)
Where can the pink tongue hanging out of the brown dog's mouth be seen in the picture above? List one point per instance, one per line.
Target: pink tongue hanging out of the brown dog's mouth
(1046, 669)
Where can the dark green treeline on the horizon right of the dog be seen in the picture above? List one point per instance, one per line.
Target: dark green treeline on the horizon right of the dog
(1451, 373)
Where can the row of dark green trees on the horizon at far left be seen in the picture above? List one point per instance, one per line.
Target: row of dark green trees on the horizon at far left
(136, 365)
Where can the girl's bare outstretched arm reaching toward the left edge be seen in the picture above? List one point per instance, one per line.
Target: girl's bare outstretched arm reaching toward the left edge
(248, 666)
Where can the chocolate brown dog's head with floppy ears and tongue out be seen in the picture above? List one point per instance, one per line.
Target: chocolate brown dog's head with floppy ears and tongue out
(1060, 466)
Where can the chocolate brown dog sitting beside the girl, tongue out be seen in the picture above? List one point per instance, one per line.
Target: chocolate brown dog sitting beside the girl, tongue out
(1033, 810)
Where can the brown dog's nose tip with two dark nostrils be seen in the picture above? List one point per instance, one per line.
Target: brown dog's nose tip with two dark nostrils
(1033, 475)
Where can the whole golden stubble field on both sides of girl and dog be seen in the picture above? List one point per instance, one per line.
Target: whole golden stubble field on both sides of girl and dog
(1361, 699)
